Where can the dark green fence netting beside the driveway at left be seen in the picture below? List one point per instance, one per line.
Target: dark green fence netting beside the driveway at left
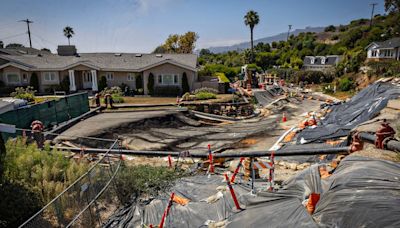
(51, 112)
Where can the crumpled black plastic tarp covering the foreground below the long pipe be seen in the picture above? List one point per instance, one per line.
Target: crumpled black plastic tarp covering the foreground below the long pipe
(362, 192)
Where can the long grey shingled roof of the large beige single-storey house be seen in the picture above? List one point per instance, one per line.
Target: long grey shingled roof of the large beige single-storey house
(104, 61)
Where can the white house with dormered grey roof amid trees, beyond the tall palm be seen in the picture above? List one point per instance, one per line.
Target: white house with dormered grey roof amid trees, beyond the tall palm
(321, 63)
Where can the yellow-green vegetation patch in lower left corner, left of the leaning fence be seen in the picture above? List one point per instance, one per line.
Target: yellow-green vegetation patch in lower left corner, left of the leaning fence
(31, 178)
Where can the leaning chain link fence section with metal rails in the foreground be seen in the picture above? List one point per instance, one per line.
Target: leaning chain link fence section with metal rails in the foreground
(86, 202)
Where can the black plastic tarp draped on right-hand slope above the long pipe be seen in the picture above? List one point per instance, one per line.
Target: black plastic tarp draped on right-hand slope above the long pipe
(345, 116)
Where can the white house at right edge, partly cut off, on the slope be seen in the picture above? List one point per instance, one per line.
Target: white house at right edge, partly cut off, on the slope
(386, 50)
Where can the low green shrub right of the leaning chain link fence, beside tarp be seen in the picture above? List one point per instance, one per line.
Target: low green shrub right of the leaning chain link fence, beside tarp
(144, 179)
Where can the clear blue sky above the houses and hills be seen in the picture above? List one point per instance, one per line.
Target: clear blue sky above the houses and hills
(142, 25)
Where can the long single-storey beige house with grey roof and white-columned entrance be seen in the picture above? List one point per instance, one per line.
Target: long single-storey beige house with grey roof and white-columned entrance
(85, 69)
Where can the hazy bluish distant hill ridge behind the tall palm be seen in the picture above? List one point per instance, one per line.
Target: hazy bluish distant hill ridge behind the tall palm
(279, 37)
